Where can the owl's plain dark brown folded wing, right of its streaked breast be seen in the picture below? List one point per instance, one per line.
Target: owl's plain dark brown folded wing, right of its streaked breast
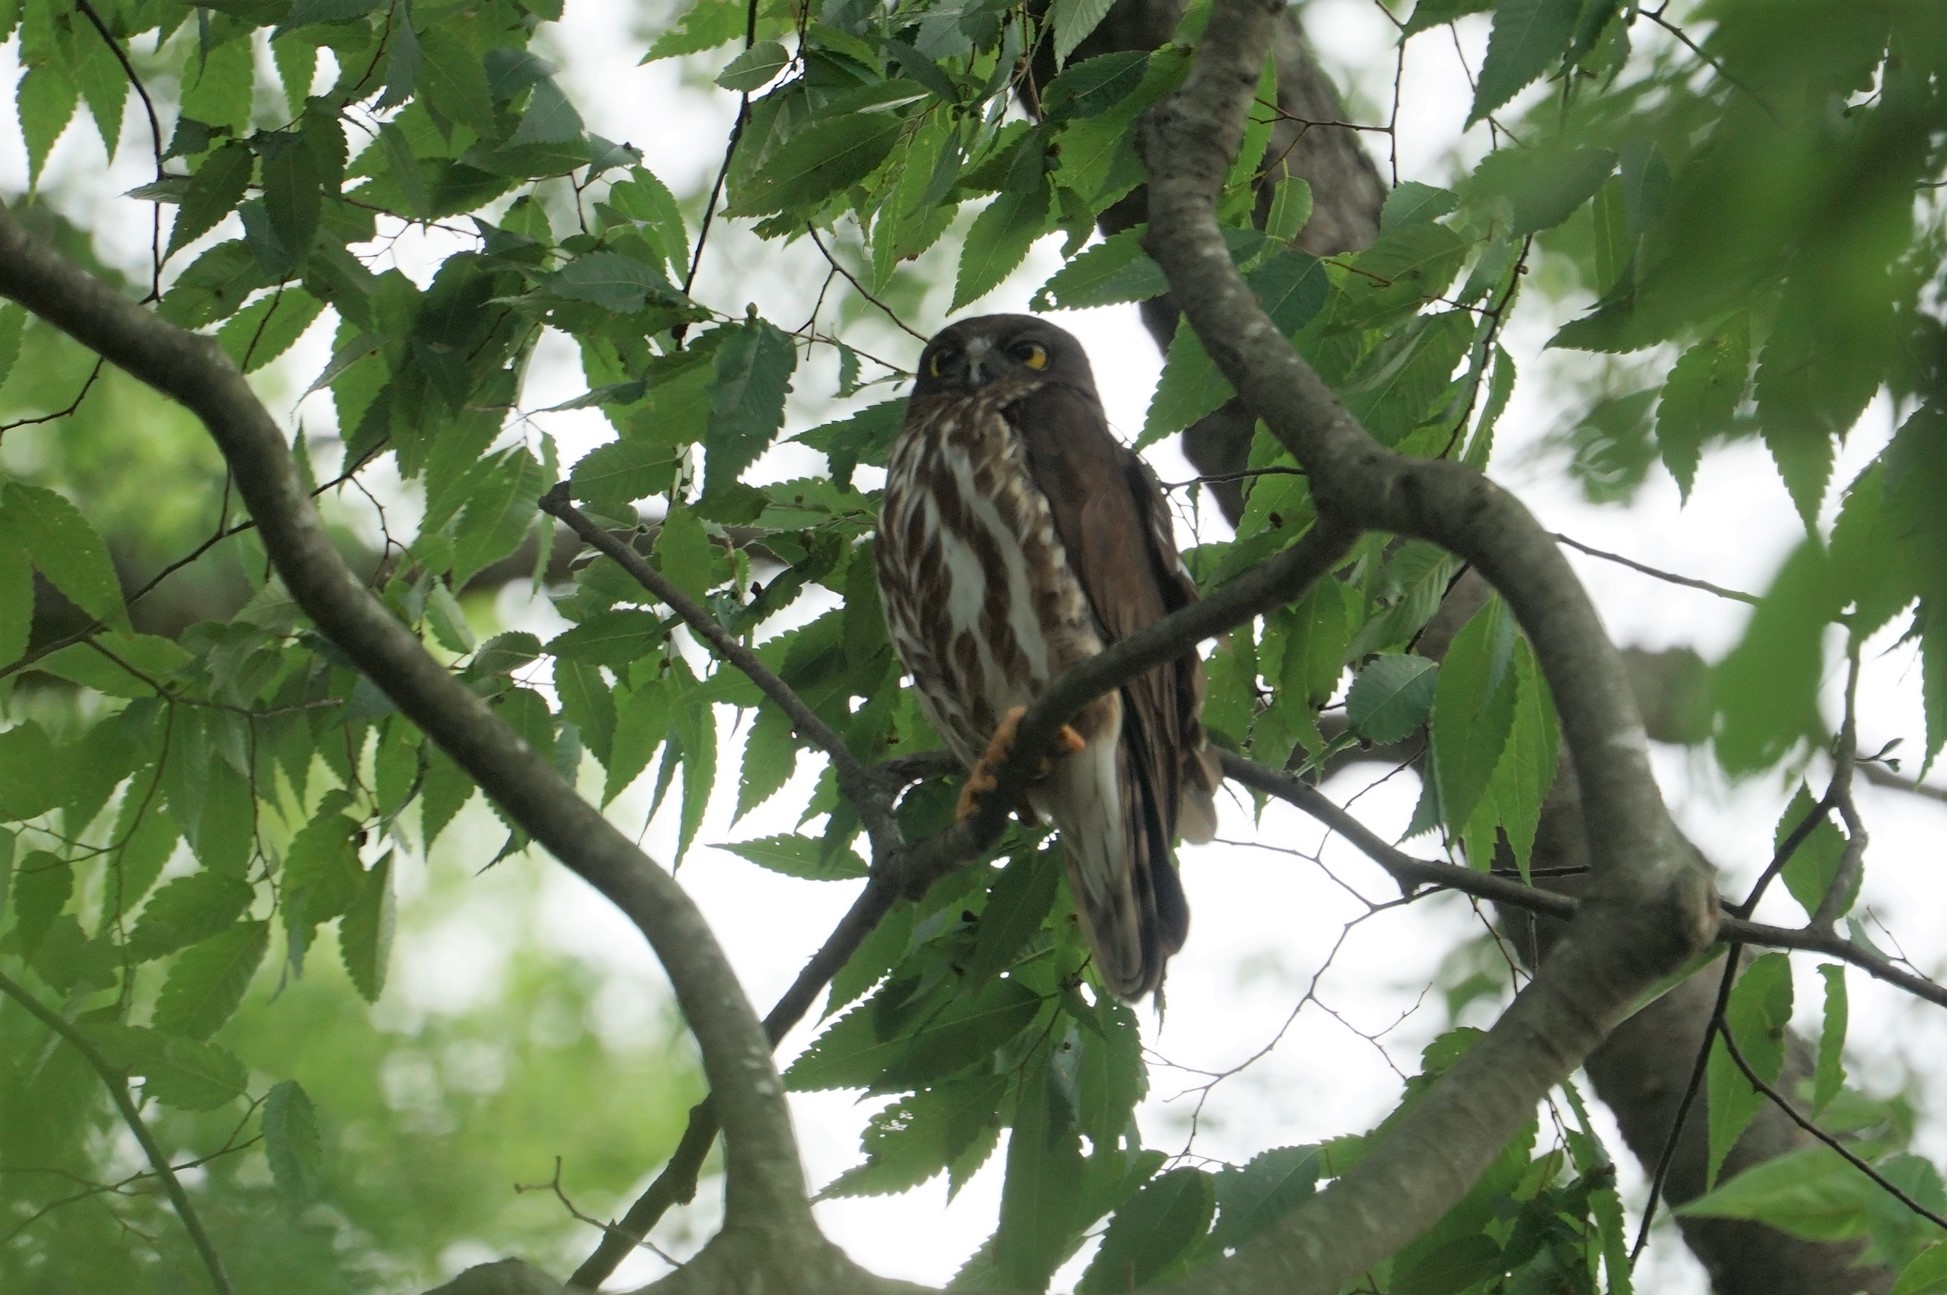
(1117, 533)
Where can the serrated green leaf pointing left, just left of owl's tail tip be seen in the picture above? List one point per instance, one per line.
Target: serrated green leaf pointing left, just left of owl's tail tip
(961, 1035)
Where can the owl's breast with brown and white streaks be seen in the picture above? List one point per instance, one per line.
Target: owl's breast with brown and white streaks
(978, 591)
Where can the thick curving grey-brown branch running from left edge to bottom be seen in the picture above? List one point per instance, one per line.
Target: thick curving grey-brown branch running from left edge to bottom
(764, 1175)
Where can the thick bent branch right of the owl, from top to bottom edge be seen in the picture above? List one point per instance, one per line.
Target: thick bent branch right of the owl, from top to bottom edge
(1648, 910)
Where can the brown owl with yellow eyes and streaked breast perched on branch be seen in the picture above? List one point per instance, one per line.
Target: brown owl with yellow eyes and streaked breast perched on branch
(1019, 538)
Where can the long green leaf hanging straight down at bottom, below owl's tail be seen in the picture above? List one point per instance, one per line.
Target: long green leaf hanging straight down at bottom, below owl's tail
(1039, 1208)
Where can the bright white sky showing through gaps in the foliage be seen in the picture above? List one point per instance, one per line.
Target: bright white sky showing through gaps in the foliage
(1263, 922)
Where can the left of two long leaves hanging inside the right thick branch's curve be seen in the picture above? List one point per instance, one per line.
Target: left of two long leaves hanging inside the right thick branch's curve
(1473, 712)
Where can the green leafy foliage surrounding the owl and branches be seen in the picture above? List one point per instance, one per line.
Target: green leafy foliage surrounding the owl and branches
(207, 813)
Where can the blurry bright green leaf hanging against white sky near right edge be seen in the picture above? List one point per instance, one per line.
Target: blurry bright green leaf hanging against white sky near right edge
(1767, 688)
